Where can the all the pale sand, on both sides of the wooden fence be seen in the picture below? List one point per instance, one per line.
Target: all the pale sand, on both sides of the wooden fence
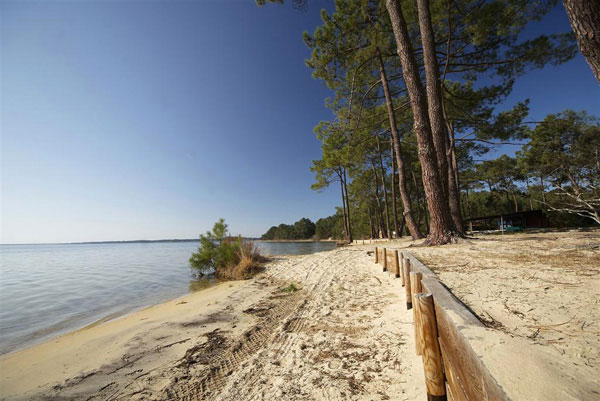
(344, 333)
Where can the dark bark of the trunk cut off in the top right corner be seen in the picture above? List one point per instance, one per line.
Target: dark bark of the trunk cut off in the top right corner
(584, 16)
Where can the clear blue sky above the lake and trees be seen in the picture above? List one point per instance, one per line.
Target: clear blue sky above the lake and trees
(147, 120)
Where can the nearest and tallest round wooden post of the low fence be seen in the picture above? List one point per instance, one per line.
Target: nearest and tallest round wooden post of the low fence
(432, 358)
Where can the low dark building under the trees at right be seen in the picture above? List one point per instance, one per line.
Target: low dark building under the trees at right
(515, 221)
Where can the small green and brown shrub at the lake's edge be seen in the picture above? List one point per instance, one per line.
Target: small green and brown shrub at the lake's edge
(225, 257)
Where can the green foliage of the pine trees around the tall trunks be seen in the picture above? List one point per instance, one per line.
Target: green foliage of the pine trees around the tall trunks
(481, 52)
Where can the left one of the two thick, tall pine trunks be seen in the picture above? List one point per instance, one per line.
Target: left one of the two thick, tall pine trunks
(440, 227)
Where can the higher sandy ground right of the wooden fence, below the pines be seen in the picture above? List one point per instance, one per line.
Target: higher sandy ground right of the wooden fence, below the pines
(539, 295)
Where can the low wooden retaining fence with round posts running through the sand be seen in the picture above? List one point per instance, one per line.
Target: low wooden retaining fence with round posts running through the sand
(452, 369)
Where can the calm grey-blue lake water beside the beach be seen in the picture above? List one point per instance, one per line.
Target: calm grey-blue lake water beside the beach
(47, 290)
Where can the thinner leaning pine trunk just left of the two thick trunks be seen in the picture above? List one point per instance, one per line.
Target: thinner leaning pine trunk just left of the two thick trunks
(410, 221)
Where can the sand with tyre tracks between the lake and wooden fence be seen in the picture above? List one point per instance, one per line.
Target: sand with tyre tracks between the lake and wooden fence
(344, 334)
